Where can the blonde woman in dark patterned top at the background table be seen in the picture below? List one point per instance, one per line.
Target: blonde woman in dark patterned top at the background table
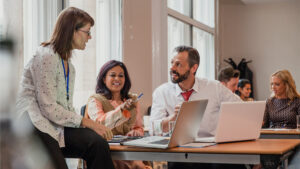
(284, 104)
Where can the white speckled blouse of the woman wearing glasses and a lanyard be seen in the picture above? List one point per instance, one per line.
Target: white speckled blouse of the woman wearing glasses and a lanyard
(42, 94)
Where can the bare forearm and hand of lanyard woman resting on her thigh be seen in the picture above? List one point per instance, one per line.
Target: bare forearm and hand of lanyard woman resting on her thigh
(98, 128)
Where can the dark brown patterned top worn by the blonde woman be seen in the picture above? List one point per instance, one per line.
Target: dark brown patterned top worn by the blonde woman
(281, 113)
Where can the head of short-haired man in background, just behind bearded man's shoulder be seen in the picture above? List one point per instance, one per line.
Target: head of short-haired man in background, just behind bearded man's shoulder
(229, 77)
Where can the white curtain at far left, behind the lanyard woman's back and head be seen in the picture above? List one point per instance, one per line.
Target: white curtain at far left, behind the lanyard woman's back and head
(39, 17)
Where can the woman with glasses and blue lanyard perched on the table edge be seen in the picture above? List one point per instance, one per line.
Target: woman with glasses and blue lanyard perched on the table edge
(46, 95)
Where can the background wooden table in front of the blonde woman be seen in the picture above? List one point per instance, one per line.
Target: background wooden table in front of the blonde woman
(280, 134)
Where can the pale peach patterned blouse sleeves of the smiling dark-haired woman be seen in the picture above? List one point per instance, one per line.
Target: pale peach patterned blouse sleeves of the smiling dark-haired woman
(114, 117)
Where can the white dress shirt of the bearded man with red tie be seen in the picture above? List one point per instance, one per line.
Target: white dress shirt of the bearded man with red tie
(168, 95)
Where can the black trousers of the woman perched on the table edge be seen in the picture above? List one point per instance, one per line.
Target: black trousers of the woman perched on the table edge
(79, 143)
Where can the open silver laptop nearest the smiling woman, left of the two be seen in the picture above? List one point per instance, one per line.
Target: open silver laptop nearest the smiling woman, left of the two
(185, 129)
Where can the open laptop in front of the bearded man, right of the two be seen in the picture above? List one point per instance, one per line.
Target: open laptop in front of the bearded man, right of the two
(238, 121)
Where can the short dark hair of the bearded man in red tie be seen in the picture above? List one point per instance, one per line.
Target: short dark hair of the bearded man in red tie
(193, 55)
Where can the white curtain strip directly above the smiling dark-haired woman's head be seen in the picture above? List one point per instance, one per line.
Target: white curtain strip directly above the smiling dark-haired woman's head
(109, 31)
